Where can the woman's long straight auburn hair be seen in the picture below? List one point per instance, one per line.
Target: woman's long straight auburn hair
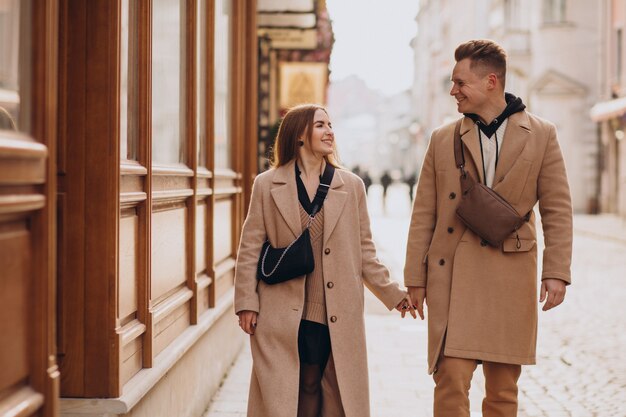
(296, 121)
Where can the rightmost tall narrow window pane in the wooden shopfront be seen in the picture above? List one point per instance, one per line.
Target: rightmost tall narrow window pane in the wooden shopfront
(222, 83)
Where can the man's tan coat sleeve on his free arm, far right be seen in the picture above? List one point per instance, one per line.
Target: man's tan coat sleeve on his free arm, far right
(555, 206)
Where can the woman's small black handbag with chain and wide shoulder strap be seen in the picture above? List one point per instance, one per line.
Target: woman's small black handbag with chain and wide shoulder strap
(278, 265)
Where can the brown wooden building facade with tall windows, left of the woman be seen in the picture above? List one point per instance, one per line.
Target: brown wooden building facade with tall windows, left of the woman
(125, 127)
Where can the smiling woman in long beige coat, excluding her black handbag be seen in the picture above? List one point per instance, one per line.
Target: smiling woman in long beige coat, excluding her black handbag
(308, 333)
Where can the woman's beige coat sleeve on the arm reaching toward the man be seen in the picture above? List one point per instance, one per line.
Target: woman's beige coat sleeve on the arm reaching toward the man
(375, 274)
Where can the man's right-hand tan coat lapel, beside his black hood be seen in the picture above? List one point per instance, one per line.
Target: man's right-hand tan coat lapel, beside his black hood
(515, 139)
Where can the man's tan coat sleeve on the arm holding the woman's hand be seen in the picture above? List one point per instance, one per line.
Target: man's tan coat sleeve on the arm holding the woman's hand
(423, 221)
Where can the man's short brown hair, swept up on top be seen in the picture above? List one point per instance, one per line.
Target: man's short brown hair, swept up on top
(485, 54)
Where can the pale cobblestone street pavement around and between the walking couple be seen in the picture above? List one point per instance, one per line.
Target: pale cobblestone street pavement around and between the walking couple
(581, 355)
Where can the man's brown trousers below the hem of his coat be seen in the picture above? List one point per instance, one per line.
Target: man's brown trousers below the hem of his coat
(452, 383)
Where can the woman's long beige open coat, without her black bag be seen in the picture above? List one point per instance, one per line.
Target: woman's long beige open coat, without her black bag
(349, 261)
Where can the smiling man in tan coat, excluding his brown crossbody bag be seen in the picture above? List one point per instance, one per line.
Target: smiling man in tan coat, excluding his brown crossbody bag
(482, 300)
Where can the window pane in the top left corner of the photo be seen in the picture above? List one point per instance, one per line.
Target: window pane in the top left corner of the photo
(15, 64)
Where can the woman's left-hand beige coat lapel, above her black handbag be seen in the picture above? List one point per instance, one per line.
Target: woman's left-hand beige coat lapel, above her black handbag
(285, 195)
